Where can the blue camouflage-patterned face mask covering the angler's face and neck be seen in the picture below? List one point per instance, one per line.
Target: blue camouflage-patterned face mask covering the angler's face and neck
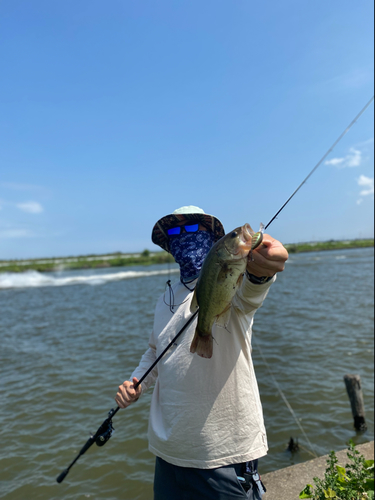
(189, 251)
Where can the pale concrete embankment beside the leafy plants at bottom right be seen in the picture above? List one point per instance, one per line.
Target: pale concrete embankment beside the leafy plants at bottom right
(286, 484)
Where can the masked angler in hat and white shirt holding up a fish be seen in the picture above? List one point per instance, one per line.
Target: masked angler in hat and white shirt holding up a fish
(206, 424)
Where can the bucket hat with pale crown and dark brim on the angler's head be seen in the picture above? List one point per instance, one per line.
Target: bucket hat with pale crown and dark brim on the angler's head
(189, 213)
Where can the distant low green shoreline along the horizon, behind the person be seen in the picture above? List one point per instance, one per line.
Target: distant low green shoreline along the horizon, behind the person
(149, 258)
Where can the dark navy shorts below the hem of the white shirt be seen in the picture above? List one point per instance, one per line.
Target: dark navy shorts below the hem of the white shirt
(184, 483)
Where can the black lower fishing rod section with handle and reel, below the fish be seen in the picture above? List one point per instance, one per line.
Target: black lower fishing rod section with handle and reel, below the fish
(104, 432)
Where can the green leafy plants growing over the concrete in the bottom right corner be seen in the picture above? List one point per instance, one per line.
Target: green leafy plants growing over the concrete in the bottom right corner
(354, 482)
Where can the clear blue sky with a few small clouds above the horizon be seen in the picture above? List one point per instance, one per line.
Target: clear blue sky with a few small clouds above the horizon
(113, 114)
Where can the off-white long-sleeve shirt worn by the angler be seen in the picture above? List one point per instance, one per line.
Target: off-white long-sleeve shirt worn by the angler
(205, 413)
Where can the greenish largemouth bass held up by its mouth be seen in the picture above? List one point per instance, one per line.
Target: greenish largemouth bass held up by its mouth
(220, 276)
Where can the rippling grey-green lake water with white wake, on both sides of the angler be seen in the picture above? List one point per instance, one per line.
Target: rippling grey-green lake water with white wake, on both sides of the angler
(67, 340)
